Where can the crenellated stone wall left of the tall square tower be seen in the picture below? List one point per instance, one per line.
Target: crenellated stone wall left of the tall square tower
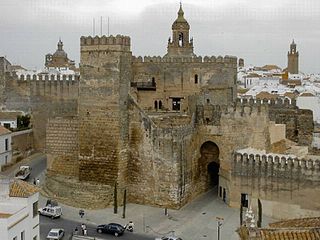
(43, 99)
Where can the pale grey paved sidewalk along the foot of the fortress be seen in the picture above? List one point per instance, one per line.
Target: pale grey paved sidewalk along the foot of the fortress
(196, 220)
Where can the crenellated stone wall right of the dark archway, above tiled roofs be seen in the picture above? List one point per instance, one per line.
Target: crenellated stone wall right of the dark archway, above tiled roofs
(277, 178)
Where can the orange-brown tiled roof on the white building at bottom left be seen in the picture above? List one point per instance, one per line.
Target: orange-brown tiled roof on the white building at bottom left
(22, 189)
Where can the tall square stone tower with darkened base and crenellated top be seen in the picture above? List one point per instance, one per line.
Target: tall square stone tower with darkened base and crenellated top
(103, 109)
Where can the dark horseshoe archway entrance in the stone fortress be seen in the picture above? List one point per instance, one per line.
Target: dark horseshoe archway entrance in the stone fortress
(210, 163)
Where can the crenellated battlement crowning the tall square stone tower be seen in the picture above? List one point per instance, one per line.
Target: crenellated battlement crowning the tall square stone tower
(104, 40)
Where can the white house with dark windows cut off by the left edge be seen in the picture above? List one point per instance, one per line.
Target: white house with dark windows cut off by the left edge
(5, 146)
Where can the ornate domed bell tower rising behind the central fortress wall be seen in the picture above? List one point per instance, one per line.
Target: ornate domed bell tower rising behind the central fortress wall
(180, 45)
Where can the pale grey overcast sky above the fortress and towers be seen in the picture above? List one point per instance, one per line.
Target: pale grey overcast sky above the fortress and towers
(256, 30)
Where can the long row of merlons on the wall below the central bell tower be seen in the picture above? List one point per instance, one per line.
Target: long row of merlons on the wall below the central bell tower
(198, 59)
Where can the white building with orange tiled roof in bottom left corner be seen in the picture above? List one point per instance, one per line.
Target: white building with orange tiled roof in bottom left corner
(19, 218)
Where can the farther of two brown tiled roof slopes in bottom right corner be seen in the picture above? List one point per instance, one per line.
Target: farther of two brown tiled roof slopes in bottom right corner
(297, 223)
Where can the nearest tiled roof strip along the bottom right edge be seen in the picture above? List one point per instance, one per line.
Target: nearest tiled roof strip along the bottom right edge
(290, 234)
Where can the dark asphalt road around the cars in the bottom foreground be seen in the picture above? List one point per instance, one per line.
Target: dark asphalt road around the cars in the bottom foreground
(47, 223)
